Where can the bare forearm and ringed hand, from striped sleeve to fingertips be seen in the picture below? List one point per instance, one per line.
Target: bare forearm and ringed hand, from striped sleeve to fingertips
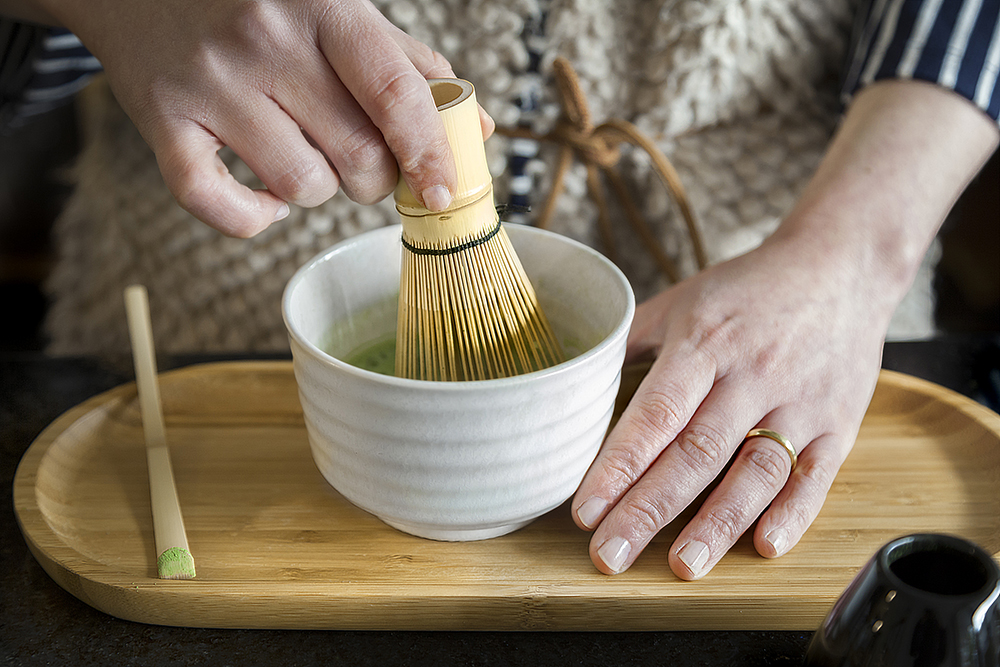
(787, 337)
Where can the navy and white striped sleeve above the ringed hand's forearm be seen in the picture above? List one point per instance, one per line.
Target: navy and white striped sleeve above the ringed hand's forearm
(953, 43)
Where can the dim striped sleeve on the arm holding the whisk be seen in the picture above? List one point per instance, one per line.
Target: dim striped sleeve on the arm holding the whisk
(40, 69)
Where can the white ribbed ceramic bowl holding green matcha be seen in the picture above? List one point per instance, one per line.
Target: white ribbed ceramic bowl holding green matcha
(455, 460)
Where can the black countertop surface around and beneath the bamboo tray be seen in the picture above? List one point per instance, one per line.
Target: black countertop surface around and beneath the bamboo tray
(41, 624)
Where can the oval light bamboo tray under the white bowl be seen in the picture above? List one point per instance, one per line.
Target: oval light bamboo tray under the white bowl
(276, 547)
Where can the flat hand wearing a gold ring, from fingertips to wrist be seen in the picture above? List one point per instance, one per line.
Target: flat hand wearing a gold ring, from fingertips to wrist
(774, 339)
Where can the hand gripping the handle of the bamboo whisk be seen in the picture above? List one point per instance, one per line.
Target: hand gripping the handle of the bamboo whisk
(313, 95)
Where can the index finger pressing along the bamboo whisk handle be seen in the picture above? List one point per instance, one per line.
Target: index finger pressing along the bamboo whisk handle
(395, 95)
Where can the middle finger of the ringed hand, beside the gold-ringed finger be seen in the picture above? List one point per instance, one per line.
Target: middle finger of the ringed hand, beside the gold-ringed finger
(681, 472)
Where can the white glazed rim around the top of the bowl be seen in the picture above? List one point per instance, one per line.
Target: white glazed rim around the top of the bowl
(619, 331)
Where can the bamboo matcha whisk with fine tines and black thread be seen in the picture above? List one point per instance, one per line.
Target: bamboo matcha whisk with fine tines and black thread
(467, 310)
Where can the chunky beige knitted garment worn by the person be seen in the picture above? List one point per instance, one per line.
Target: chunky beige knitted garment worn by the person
(739, 95)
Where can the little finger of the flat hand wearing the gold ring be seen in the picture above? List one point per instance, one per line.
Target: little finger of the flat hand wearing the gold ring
(800, 500)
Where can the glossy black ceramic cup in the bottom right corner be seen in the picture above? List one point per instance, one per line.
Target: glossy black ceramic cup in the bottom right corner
(921, 601)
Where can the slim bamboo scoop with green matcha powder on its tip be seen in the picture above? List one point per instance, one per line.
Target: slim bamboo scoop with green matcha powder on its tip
(173, 556)
